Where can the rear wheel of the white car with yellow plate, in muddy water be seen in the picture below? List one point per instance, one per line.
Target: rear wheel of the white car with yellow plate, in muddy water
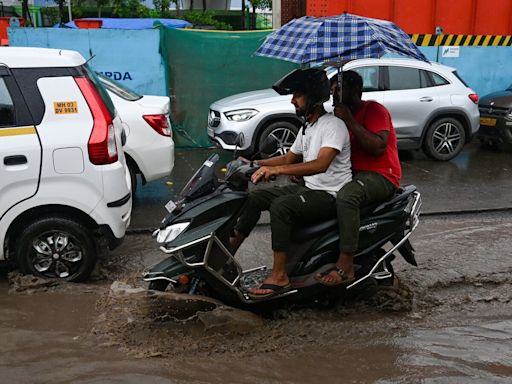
(57, 247)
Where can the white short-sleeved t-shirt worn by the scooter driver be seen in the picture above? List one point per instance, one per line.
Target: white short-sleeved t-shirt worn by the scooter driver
(327, 131)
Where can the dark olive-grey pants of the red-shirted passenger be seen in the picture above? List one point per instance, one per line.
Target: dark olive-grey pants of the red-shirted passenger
(366, 188)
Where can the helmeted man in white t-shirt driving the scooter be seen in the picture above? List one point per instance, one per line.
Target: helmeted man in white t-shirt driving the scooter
(320, 154)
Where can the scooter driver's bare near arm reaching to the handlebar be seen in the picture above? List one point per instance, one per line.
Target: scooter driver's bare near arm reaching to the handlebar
(325, 157)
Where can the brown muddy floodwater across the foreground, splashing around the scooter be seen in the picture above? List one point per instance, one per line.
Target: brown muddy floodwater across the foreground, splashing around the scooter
(448, 321)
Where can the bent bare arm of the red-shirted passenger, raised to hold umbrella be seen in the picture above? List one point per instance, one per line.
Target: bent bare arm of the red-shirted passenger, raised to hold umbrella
(373, 143)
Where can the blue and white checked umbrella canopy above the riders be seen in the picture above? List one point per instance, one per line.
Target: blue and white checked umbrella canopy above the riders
(344, 37)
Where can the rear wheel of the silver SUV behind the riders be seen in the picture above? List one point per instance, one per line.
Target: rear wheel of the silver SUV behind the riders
(444, 139)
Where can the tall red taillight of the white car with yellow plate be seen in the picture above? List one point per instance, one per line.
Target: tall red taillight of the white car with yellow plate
(102, 142)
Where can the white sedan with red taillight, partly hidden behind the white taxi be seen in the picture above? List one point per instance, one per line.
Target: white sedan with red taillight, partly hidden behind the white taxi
(149, 147)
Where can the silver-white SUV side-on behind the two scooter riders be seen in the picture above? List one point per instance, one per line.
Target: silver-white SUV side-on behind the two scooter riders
(431, 107)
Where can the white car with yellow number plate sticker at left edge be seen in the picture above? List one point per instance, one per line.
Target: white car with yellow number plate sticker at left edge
(63, 180)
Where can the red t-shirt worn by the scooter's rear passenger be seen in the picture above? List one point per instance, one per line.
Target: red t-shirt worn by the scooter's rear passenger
(375, 117)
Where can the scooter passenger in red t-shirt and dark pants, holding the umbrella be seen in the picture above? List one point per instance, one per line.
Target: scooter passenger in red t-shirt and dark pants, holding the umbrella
(375, 166)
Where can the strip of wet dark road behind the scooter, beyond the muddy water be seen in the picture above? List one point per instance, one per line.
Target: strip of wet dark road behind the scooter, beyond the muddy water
(477, 179)
